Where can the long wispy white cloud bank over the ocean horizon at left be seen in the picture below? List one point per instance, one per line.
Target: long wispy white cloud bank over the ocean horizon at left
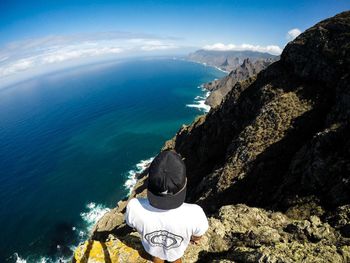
(21, 56)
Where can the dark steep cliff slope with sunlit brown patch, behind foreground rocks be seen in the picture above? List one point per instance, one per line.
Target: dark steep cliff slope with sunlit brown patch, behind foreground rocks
(282, 137)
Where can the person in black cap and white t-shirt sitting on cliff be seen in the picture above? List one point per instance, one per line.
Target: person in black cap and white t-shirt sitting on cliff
(167, 224)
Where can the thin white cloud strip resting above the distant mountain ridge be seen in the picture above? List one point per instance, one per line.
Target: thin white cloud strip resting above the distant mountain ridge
(272, 49)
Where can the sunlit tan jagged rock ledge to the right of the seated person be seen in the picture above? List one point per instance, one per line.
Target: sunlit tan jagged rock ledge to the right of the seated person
(247, 234)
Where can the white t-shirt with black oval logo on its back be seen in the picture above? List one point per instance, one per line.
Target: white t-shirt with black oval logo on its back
(166, 233)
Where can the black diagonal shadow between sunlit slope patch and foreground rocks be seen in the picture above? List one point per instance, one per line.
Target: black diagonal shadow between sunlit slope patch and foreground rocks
(267, 172)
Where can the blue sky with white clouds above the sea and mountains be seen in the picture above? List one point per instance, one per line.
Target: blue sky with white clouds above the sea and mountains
(38, 33)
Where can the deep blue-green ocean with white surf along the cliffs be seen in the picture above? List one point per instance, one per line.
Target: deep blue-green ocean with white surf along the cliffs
(71, 142)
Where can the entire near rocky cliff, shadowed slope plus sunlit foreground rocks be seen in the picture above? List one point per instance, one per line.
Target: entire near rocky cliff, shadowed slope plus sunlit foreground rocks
(270, 165)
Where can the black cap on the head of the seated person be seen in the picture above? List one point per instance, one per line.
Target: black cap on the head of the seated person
(167, 181)
